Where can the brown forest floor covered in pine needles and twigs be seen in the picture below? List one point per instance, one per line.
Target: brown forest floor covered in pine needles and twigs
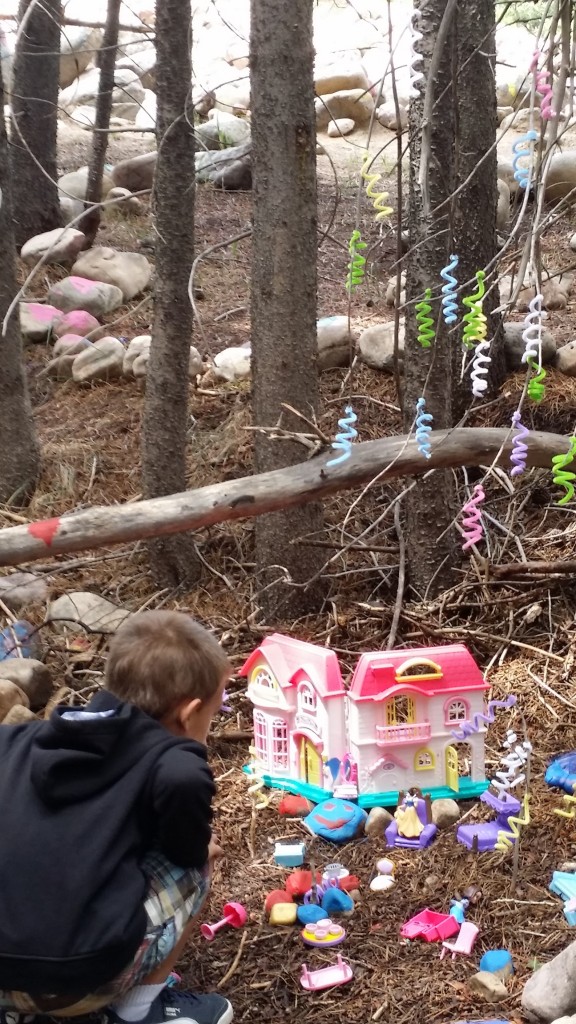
(522, 631)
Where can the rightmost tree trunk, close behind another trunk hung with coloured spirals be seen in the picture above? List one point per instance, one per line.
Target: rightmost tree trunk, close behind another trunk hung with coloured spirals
(475, 208)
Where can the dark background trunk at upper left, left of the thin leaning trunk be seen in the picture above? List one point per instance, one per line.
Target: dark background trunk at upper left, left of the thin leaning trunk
(34, 134)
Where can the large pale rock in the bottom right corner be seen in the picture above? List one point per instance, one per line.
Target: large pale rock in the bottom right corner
(551, 992)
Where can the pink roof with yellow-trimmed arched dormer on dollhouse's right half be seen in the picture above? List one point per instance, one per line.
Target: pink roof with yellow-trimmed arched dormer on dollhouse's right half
(376, 675)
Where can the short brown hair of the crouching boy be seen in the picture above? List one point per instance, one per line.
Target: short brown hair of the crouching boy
(160, 659)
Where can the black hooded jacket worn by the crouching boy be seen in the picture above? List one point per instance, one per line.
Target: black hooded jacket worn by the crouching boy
(81, 803)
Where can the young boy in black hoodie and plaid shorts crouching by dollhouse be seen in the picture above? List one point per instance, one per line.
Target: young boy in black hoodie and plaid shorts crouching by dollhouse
(106, 847)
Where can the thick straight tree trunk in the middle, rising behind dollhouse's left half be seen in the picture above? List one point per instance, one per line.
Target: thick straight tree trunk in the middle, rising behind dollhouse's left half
(284, 283)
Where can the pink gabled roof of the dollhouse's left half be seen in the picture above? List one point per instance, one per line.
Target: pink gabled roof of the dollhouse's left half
(291, 659)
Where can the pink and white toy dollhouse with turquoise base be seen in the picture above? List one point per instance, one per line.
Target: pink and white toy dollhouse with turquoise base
(390, 731)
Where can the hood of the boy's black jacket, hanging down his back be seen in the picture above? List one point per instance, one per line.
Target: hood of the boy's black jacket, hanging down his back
(77, 757)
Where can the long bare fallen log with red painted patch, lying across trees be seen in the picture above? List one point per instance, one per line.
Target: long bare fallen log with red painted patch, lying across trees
(243, 499)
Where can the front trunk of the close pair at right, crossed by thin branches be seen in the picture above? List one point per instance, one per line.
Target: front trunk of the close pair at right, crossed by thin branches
(431, 508)
